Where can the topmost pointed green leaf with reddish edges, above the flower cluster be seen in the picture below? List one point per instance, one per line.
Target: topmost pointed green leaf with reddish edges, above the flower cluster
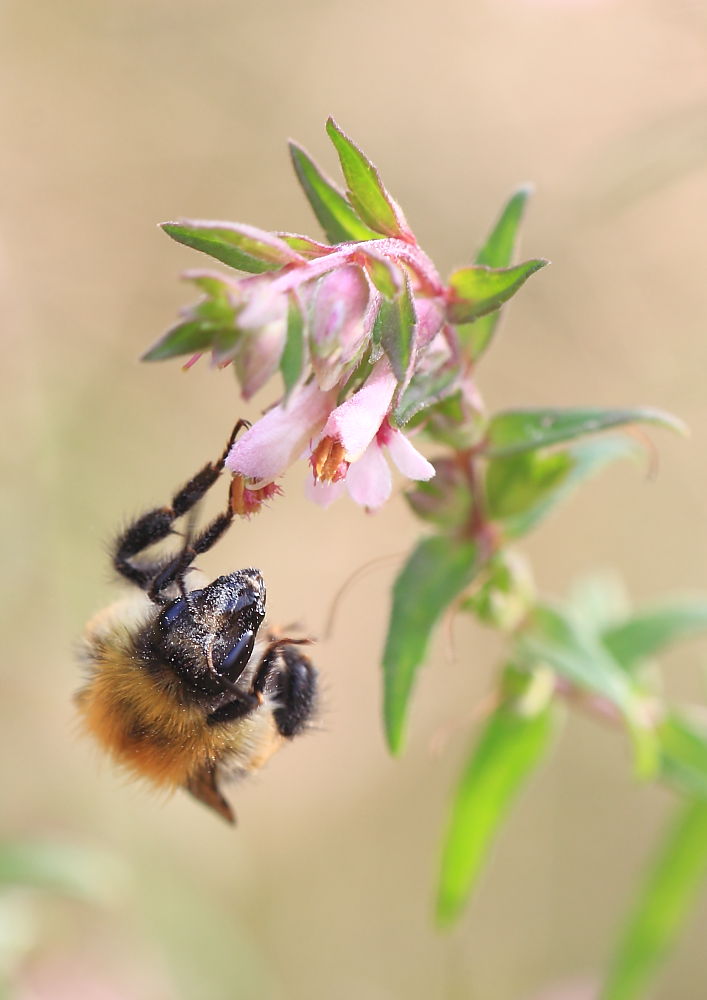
(365, 188)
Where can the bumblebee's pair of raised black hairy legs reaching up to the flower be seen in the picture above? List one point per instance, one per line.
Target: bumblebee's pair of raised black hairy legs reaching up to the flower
(156, 525)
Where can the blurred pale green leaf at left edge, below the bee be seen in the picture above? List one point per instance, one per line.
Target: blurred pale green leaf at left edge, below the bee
(87, 874)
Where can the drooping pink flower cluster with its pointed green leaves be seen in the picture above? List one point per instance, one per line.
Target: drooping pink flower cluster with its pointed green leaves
(362, 329)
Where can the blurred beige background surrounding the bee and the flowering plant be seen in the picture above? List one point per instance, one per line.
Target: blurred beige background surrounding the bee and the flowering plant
(119, 114)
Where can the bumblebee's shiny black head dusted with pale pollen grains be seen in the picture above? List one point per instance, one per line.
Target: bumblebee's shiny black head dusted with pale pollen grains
(211, 632)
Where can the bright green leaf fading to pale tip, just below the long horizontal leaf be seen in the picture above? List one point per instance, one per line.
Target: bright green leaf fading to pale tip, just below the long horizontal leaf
(523, 488)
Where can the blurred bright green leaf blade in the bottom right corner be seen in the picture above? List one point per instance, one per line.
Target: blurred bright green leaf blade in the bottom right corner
(662, 905)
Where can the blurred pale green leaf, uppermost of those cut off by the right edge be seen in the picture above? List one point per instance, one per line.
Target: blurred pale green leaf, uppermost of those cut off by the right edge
(648, 632)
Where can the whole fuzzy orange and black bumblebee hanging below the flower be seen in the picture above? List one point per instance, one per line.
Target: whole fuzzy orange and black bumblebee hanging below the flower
(180, 689)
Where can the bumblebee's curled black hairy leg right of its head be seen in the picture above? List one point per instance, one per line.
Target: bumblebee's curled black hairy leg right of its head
(293, 680)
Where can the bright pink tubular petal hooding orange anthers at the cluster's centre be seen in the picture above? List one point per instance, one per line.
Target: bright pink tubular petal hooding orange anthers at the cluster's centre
(356, 422)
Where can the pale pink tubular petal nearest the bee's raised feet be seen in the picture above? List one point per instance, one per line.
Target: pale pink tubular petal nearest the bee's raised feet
(278, 438)
